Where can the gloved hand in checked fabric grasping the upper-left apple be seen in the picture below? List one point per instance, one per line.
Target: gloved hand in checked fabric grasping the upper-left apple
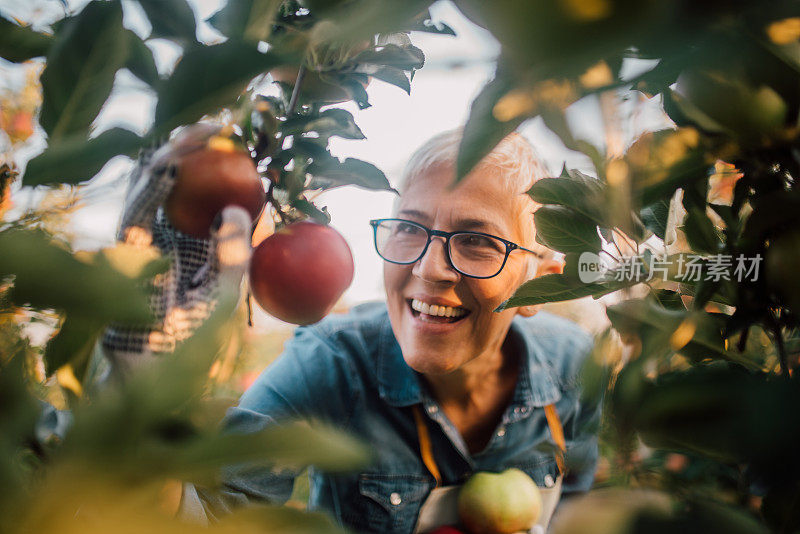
(185, 295)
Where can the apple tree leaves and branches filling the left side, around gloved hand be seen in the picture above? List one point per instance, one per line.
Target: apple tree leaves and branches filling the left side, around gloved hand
(119, 466)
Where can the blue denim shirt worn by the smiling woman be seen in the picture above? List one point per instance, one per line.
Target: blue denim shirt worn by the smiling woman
(349, 371)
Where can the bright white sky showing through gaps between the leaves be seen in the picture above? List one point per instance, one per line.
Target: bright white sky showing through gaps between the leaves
(397, 124)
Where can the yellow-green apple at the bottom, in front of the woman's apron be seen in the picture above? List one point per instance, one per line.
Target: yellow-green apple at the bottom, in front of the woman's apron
(499, 503)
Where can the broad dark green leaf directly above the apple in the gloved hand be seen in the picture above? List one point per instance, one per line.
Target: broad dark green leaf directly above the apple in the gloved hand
(206, 79)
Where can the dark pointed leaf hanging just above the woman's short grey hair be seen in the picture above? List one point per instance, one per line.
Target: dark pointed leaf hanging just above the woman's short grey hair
(483, 131)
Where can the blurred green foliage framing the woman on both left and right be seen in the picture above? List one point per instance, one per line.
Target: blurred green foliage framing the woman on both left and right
(706, 381)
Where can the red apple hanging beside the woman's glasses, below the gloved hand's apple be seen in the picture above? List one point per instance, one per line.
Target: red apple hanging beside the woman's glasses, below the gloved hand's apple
(298, 273)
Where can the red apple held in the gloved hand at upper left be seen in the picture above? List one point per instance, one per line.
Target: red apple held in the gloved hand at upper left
(209, 179)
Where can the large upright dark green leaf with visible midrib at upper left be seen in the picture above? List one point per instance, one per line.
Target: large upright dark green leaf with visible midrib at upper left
(86, 54)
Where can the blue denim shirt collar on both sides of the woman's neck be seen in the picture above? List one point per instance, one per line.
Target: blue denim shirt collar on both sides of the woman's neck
(399, 385)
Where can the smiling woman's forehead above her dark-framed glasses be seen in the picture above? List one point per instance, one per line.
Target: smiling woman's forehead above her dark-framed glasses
(487, 195)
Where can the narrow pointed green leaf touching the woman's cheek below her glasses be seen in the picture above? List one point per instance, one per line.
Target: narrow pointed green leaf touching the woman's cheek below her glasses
(556, 288)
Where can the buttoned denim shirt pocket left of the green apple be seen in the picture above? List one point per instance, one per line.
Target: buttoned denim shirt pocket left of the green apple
(388, 503)
